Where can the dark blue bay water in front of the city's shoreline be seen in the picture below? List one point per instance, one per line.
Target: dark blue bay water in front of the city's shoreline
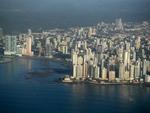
(42, 95)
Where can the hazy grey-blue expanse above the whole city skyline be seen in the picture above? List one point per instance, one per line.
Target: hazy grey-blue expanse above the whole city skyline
(19, 15)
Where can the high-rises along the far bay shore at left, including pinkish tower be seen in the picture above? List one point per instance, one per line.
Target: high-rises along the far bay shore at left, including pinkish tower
(36, 44)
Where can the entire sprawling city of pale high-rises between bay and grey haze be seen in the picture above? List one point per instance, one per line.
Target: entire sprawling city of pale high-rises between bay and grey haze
(107, 51)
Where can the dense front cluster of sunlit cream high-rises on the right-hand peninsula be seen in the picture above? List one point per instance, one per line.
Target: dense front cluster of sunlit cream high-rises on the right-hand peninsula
(121, 62)
